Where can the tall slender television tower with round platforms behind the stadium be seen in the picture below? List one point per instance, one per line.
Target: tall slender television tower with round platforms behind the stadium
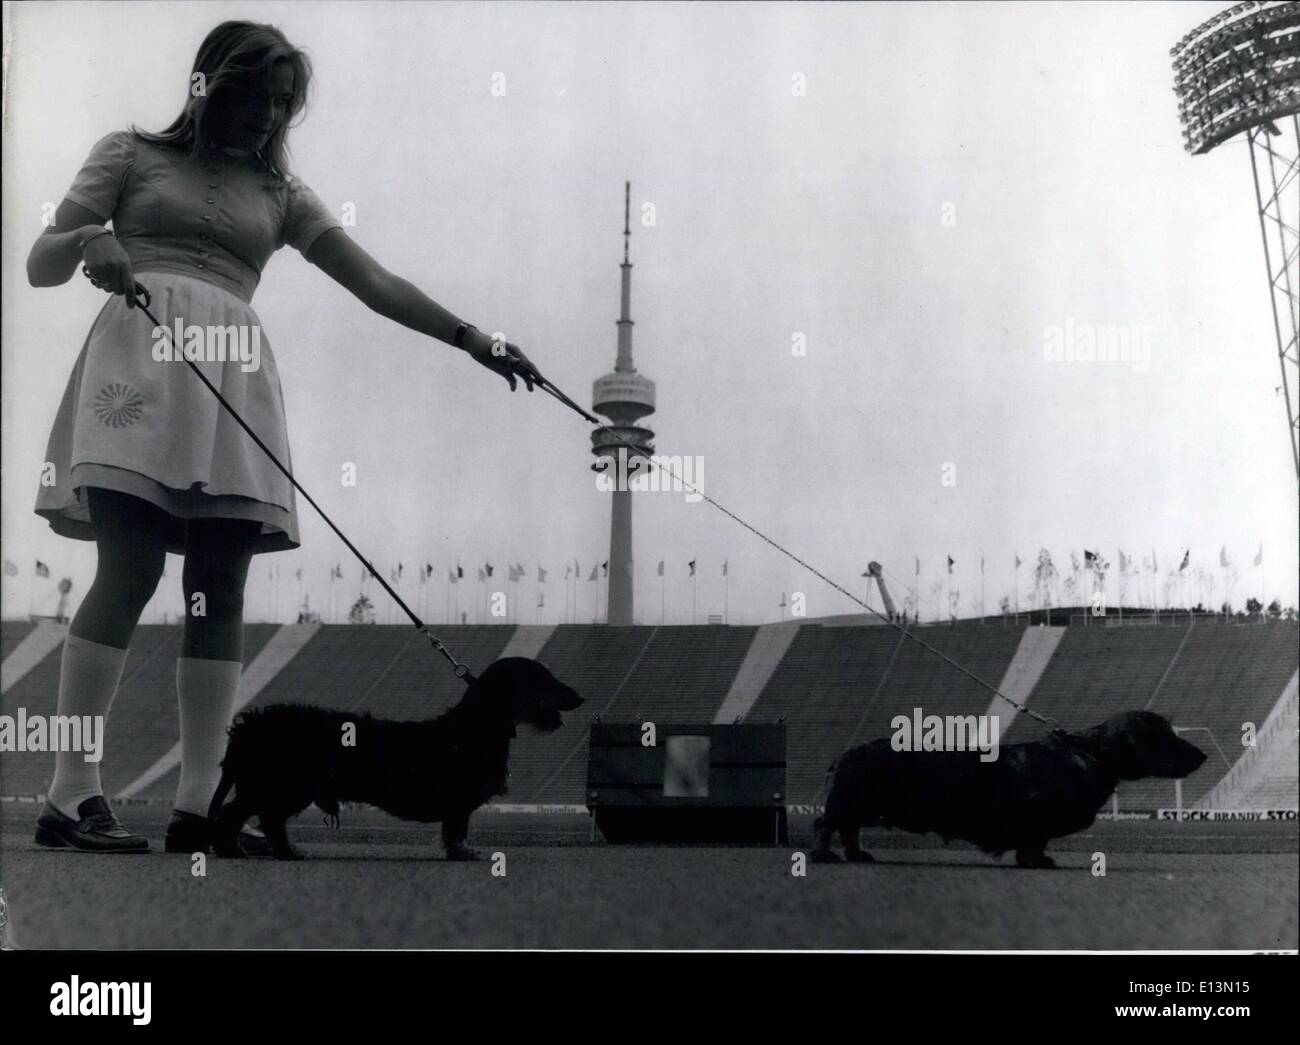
(625, 397)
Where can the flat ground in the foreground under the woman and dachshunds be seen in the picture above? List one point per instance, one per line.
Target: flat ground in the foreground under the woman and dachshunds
(379, 883)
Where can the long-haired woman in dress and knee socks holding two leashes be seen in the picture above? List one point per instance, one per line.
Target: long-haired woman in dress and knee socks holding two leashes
(145, 459)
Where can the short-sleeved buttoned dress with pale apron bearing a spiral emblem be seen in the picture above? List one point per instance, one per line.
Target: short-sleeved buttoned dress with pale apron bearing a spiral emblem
(198, 228)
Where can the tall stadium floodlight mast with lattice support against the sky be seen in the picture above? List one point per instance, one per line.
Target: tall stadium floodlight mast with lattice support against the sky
(1240, 72)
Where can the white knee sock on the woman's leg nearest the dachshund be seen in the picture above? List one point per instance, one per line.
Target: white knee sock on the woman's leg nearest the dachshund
(207, 692)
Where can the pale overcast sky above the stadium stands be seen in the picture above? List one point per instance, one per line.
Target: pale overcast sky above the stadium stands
(925, 197)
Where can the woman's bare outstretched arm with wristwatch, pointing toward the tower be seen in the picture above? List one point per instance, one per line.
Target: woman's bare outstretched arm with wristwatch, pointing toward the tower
(337, 255)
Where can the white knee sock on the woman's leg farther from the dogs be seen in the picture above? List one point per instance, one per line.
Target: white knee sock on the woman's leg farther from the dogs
(88, 684)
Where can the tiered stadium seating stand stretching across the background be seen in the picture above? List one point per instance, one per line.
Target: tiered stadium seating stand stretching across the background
(835, 687)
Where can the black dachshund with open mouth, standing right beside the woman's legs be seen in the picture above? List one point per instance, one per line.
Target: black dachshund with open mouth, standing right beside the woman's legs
(283, 758)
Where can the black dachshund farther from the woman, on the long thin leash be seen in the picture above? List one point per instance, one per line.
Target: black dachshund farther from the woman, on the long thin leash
(1030, 795)
